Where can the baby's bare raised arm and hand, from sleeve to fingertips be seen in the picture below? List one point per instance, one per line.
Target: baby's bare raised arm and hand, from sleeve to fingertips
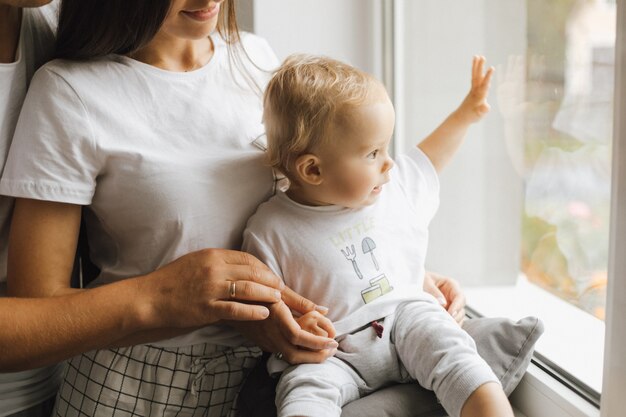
(444, 141)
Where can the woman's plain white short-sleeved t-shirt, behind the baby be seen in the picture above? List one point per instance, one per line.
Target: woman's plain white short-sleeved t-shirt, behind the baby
(164, 161)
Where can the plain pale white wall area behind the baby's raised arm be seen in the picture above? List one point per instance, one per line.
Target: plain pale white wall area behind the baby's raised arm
(476, 233)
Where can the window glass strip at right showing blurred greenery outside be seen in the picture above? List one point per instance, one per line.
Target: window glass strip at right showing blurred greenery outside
(566, 131)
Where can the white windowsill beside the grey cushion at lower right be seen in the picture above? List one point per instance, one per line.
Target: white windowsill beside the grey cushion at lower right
(573, 340)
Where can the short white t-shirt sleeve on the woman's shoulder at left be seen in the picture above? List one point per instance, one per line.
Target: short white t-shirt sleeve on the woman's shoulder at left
(53, 156)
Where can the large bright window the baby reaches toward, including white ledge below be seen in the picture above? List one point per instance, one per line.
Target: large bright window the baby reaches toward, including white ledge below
(526, 205)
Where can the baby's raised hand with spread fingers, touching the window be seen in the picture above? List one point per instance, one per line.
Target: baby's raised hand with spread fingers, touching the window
(475, 105)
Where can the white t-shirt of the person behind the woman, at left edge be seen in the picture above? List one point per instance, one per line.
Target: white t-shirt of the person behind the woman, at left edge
(23, 390)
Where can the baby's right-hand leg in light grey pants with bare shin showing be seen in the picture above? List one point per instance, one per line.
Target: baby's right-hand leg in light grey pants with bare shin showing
(443, 357)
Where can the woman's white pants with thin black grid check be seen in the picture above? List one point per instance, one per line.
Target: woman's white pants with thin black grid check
(199, 380)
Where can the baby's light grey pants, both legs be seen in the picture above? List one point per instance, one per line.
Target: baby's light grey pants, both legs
(420, 341)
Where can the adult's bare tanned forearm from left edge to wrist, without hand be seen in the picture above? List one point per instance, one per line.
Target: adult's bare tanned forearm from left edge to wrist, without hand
(40, 331)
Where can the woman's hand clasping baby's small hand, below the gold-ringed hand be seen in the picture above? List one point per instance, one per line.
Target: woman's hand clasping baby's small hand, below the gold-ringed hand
(281, 333)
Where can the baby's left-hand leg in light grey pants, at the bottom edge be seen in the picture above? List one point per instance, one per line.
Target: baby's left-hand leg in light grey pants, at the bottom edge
(314, 390)
